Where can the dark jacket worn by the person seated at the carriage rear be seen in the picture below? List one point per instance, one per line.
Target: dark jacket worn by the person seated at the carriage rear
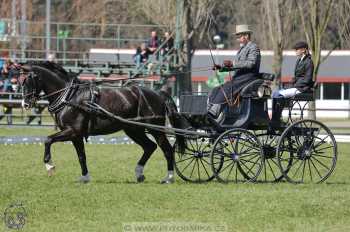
(303, 74)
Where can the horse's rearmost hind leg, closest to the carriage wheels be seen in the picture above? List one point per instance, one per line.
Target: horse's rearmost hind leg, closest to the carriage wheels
(168, 151)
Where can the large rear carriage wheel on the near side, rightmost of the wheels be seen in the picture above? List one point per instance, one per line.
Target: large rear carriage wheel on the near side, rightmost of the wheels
(314, 152)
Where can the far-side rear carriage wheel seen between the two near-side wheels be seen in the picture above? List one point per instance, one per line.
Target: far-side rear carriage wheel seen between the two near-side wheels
(271, 171)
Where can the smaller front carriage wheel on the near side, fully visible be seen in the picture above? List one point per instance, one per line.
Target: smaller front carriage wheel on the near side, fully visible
(237, 156)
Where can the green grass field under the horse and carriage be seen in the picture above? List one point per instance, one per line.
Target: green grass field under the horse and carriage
(60, 203)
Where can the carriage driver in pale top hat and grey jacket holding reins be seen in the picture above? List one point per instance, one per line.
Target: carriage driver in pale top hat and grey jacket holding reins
(246, 67)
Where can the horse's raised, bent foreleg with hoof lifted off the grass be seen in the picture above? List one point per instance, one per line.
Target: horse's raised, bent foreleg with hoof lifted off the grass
(61, 136)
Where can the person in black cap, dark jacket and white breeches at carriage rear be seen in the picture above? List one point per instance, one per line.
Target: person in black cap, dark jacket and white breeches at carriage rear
(301, 82)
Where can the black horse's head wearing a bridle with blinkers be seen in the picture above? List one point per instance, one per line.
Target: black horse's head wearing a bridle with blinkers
(31, 86)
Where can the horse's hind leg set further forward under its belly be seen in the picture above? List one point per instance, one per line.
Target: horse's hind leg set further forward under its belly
(140, 138)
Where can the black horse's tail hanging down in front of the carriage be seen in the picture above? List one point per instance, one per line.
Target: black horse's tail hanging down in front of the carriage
(176, 120)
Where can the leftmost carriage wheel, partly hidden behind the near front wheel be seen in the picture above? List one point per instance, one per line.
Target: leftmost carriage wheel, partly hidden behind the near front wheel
(193, 163)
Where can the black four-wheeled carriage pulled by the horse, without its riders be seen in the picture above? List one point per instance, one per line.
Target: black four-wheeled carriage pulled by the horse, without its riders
(242, 148)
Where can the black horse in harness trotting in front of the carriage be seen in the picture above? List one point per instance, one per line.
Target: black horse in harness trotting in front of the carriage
(68, 100)
